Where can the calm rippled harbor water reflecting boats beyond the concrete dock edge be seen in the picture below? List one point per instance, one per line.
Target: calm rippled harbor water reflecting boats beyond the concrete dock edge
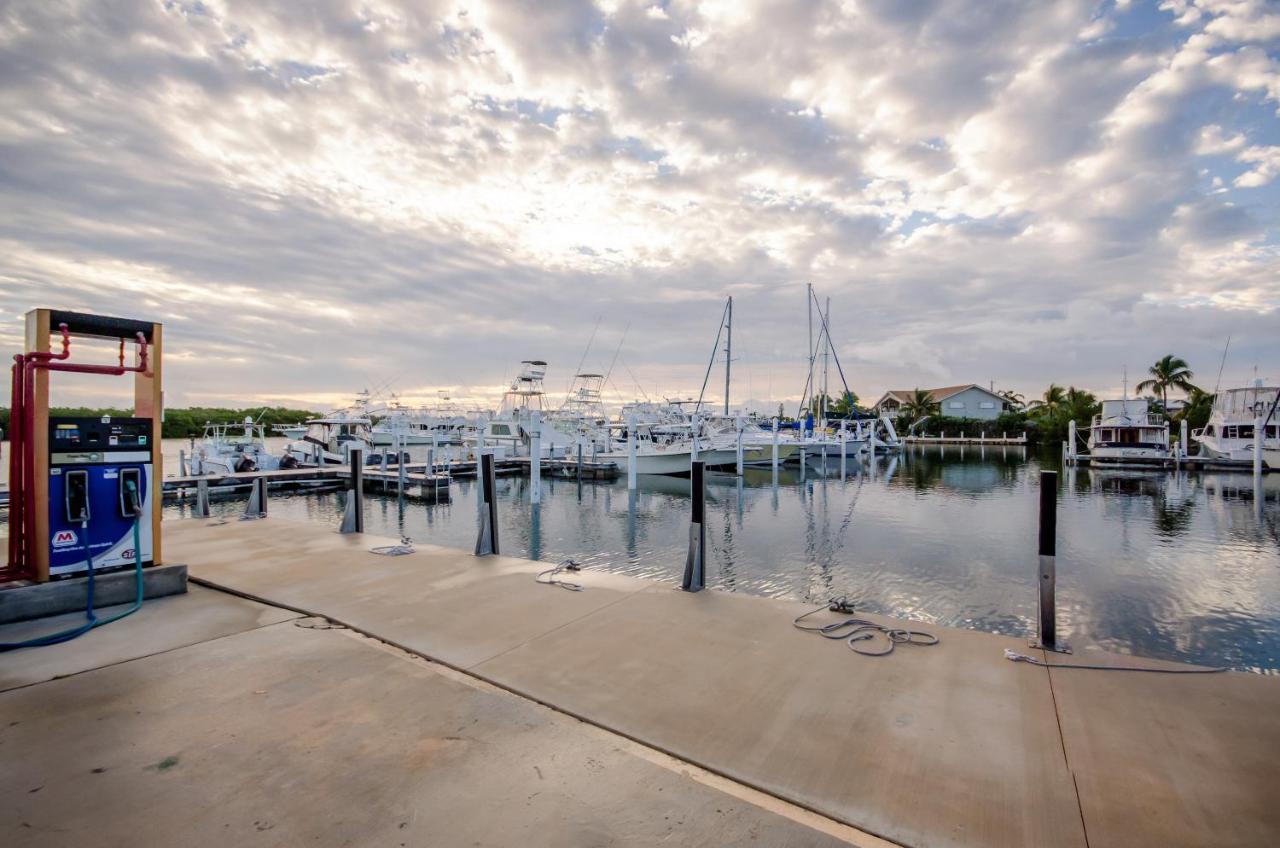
(1160, 564)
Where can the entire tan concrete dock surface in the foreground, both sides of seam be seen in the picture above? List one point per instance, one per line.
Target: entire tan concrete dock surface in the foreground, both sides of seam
(287, 735)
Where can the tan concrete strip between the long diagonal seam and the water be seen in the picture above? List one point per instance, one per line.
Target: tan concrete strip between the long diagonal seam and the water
(941, 746)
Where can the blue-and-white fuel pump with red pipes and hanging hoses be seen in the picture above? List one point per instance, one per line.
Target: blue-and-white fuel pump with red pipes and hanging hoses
(85, 493)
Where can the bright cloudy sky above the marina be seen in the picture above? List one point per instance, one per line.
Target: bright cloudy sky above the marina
(414, 198)
